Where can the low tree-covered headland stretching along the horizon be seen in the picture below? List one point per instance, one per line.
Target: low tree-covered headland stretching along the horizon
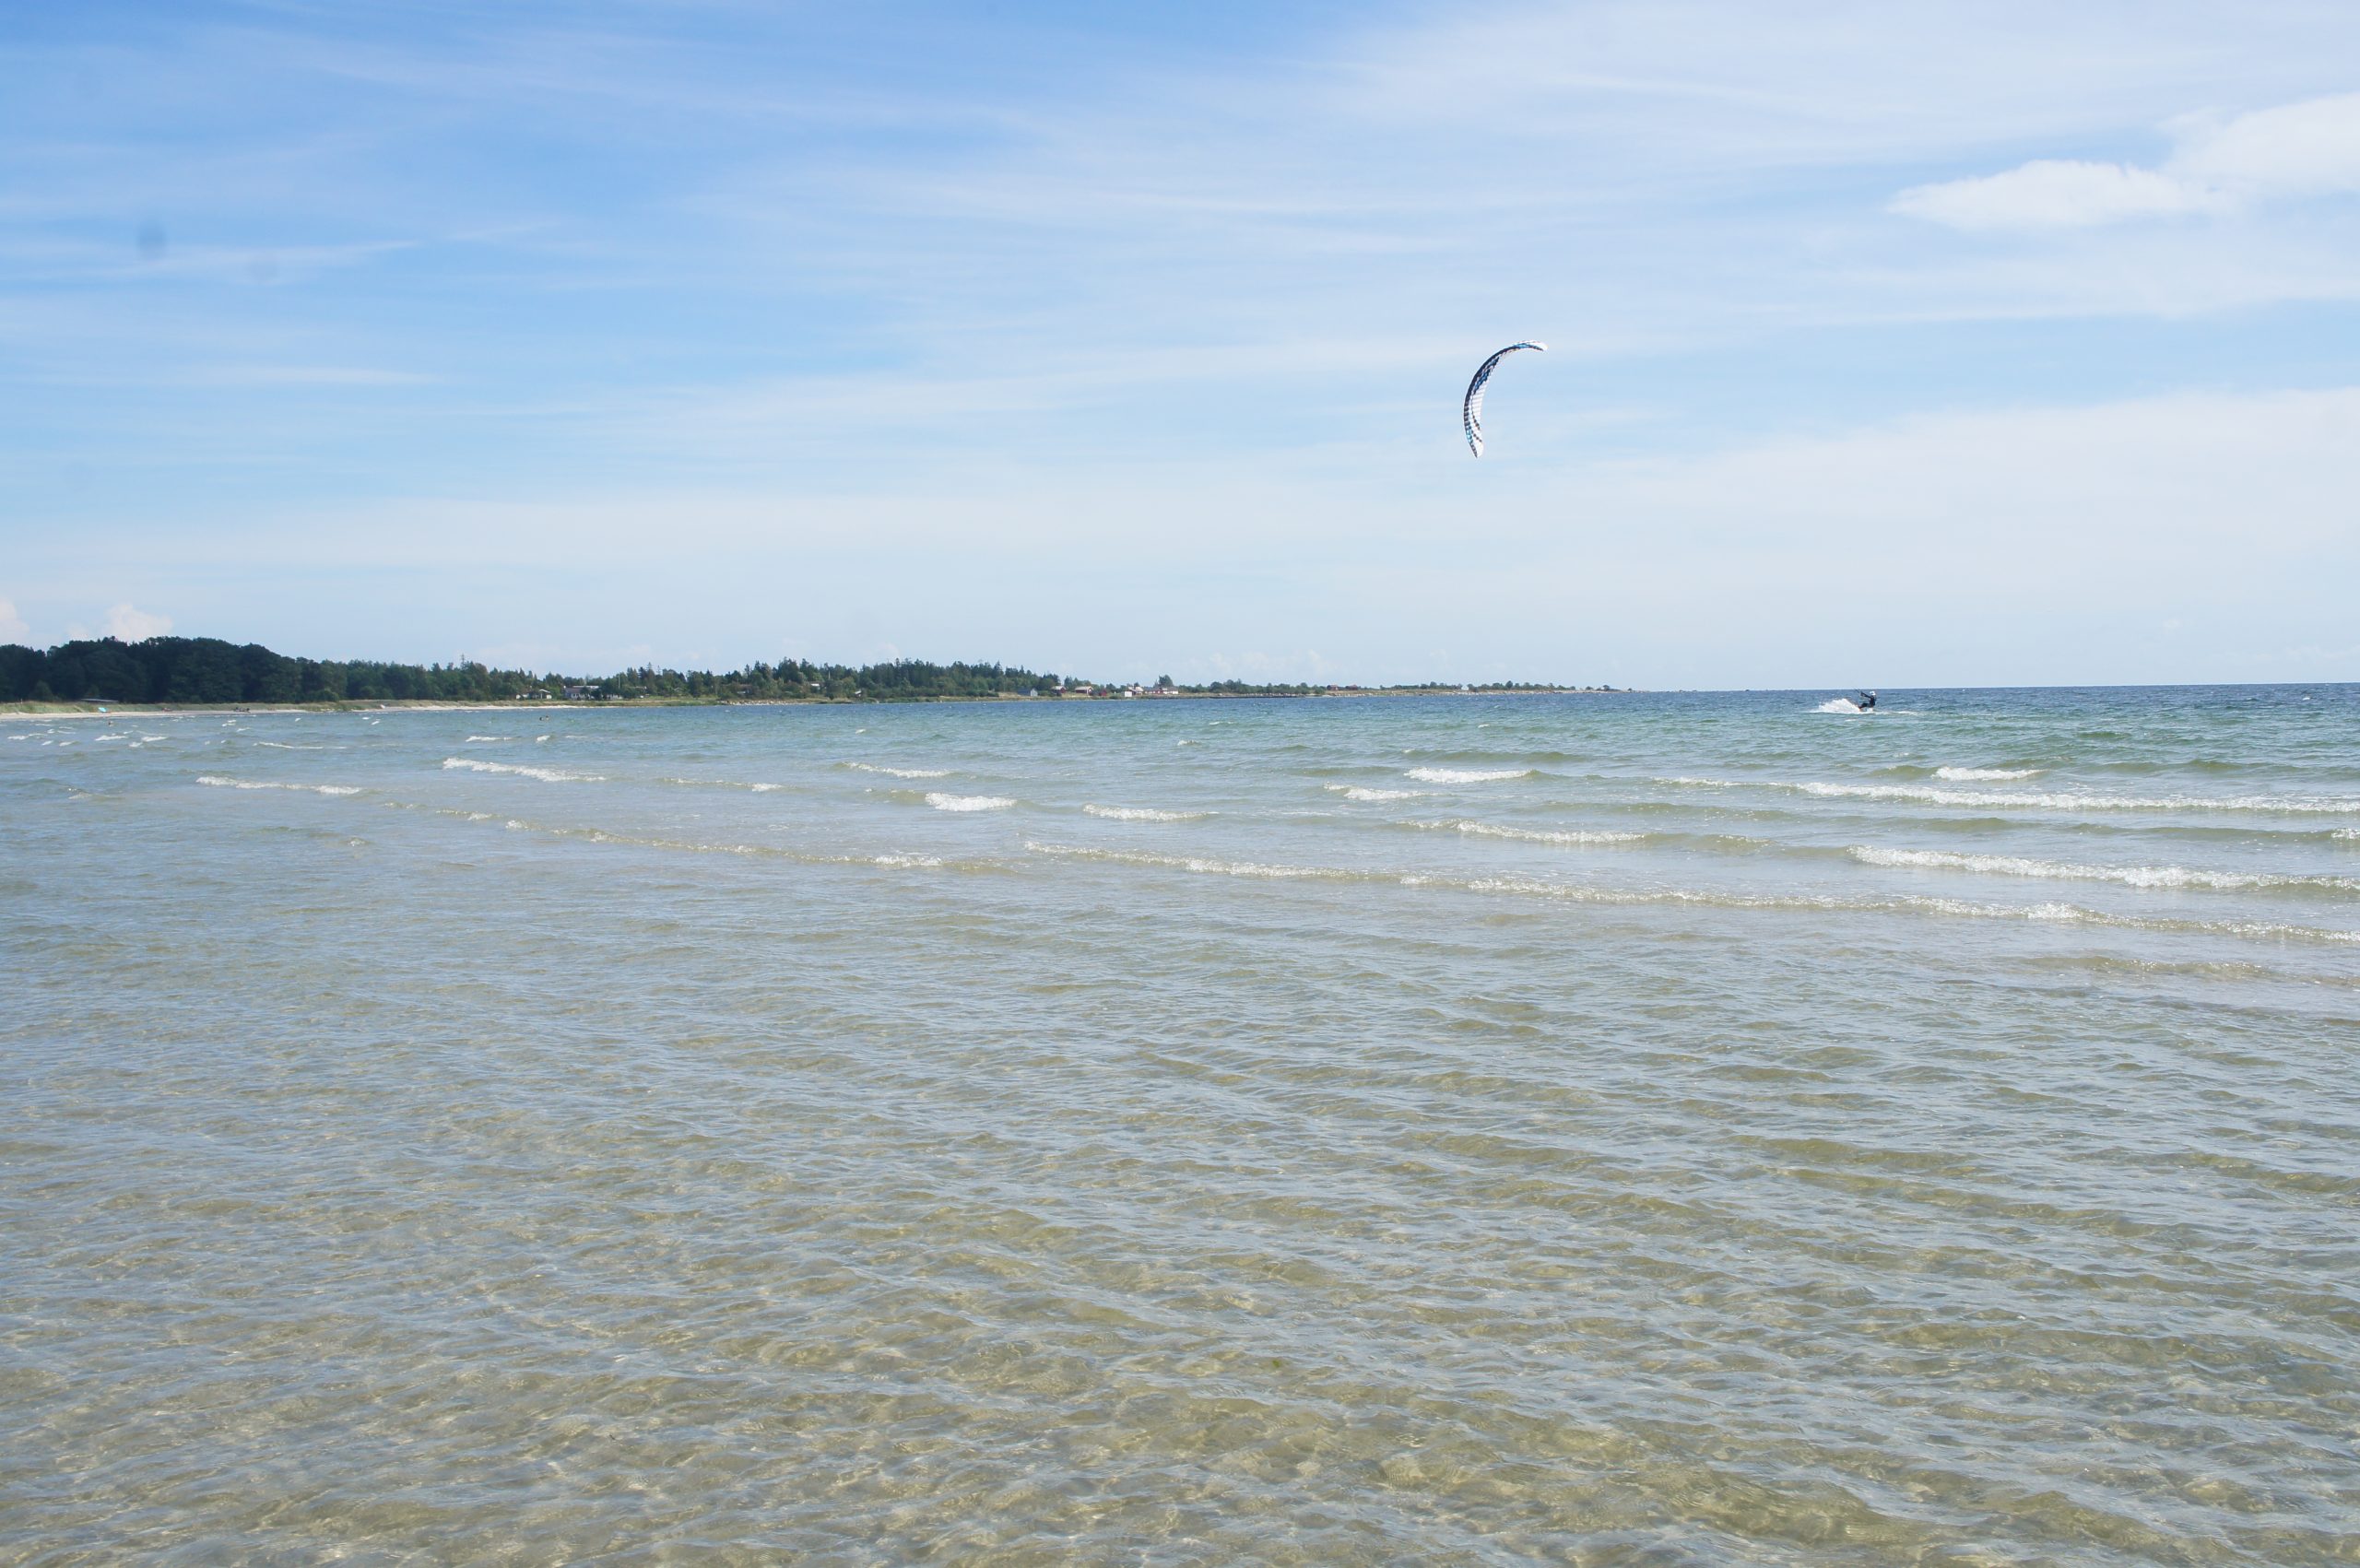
(209, 672)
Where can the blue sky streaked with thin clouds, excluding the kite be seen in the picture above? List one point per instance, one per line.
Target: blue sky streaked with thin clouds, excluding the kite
(1889, 344)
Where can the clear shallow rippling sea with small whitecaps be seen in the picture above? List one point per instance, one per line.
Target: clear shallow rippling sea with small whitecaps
(1410, 1130)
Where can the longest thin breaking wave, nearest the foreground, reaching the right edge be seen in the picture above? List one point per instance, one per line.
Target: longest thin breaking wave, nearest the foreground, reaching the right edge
(1582, 894)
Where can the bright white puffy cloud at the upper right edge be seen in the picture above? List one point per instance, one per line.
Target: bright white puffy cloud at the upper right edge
(2271, 155)
